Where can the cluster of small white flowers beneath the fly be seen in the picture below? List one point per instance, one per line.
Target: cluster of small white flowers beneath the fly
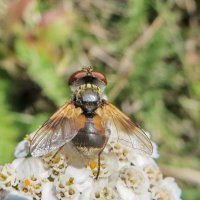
(124, 175)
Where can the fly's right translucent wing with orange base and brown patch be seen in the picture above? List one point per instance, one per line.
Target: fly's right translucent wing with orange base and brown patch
(123, 129)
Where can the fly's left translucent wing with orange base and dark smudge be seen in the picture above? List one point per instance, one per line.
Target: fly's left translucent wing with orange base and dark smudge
(58, 130)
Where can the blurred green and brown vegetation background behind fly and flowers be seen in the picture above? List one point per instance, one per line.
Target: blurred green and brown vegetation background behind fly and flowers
(149, 51)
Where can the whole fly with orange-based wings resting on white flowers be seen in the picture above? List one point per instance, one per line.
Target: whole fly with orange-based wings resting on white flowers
(87, 121)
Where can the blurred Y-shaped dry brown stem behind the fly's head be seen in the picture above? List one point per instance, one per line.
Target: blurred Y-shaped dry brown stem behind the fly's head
(125, 65)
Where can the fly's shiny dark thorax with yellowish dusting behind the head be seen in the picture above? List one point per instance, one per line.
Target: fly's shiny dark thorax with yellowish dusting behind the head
(88, 97)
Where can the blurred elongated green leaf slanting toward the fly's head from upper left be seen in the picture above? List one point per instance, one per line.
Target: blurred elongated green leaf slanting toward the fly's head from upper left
(41, 69)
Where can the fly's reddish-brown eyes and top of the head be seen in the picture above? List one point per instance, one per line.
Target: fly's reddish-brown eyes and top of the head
(86, 73)
